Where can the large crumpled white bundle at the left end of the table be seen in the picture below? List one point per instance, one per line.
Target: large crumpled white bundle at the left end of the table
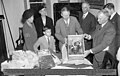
(21, 60)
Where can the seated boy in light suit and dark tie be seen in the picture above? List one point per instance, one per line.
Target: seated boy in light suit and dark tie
(46, 42)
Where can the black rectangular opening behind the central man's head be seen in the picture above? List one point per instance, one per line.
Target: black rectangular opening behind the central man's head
(75, 10)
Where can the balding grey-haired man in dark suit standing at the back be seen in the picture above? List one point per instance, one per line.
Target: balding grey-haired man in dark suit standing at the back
(88, 25)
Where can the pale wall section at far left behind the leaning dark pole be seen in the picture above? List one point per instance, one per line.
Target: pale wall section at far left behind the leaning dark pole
(14, 10)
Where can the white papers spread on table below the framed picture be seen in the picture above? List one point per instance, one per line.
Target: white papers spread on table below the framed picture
(75, 64)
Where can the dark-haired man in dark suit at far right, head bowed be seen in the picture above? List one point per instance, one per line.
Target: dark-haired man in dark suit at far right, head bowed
(115, 20)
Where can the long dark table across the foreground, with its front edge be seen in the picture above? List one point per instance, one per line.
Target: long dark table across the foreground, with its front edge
(81, 69)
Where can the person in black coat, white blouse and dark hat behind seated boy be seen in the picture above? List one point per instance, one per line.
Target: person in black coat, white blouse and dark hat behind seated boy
(42, 21)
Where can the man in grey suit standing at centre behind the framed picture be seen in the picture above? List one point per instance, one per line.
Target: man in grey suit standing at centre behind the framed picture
(67, 25)
